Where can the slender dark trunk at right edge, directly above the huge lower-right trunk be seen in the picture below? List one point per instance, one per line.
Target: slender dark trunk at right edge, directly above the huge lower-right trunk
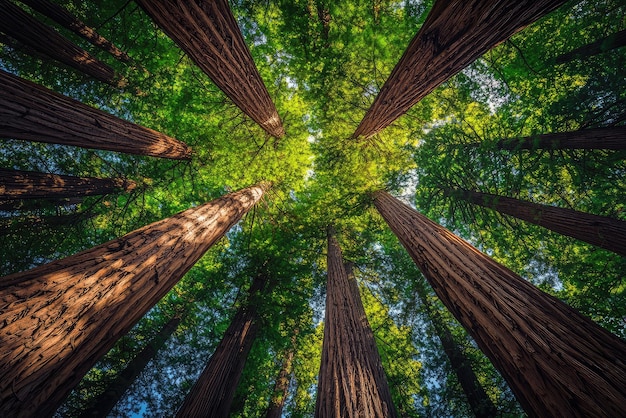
(607, 233)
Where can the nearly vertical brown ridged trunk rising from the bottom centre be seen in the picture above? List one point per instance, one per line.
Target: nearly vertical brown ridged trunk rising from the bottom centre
(351, 381)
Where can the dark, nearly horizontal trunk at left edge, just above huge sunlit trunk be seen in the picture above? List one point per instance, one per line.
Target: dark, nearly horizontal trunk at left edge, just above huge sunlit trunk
(17, 184)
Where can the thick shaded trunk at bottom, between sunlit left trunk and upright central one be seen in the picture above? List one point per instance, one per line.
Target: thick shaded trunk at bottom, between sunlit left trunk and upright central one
(213, 392)
